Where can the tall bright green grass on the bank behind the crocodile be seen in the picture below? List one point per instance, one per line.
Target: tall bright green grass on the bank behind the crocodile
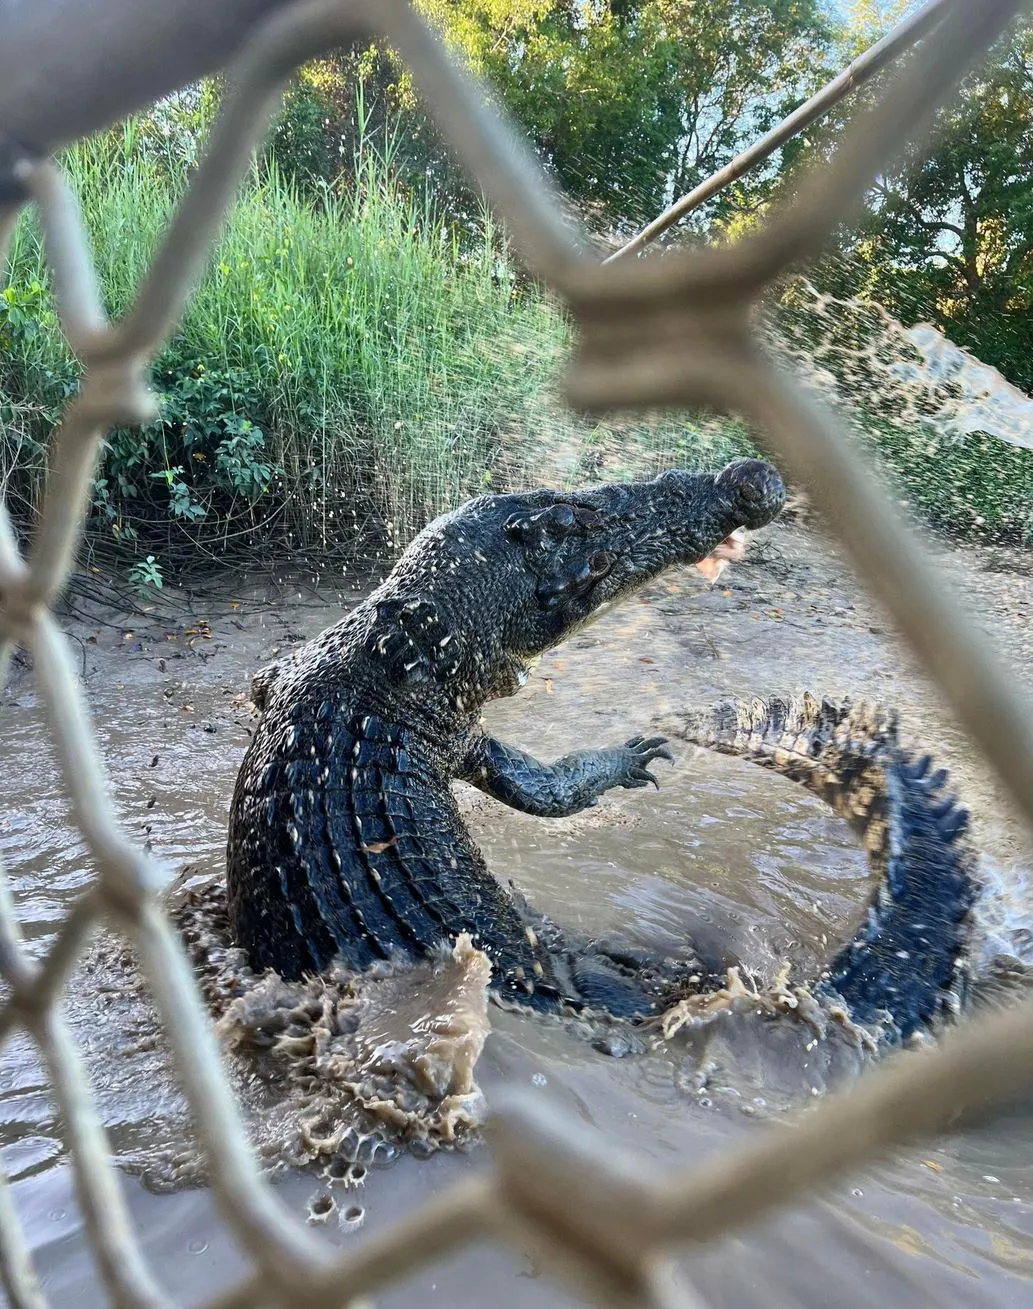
(349, 366)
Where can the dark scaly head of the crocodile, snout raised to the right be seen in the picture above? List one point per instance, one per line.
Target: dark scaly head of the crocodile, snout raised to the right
(488, 588)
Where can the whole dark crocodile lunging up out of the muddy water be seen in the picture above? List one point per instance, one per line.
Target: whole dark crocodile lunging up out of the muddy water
(346, 842)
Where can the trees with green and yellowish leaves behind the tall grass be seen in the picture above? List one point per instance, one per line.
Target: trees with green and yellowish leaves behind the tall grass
(632, 103)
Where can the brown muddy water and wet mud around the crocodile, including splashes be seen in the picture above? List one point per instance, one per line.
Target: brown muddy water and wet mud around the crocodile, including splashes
(342, 1077)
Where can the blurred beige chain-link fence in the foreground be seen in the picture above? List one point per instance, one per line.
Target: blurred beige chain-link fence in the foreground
(651, 333)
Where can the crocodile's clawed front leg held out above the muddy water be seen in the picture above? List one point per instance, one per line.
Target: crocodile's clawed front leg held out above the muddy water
(566, 787)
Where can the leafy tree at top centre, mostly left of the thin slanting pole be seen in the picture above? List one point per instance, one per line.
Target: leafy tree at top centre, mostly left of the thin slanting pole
(633, 101)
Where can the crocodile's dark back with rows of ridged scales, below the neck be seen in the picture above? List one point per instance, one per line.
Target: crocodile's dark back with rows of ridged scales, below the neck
(346, 844)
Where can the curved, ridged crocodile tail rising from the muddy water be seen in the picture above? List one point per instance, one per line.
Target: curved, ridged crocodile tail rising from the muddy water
(907, 965)
